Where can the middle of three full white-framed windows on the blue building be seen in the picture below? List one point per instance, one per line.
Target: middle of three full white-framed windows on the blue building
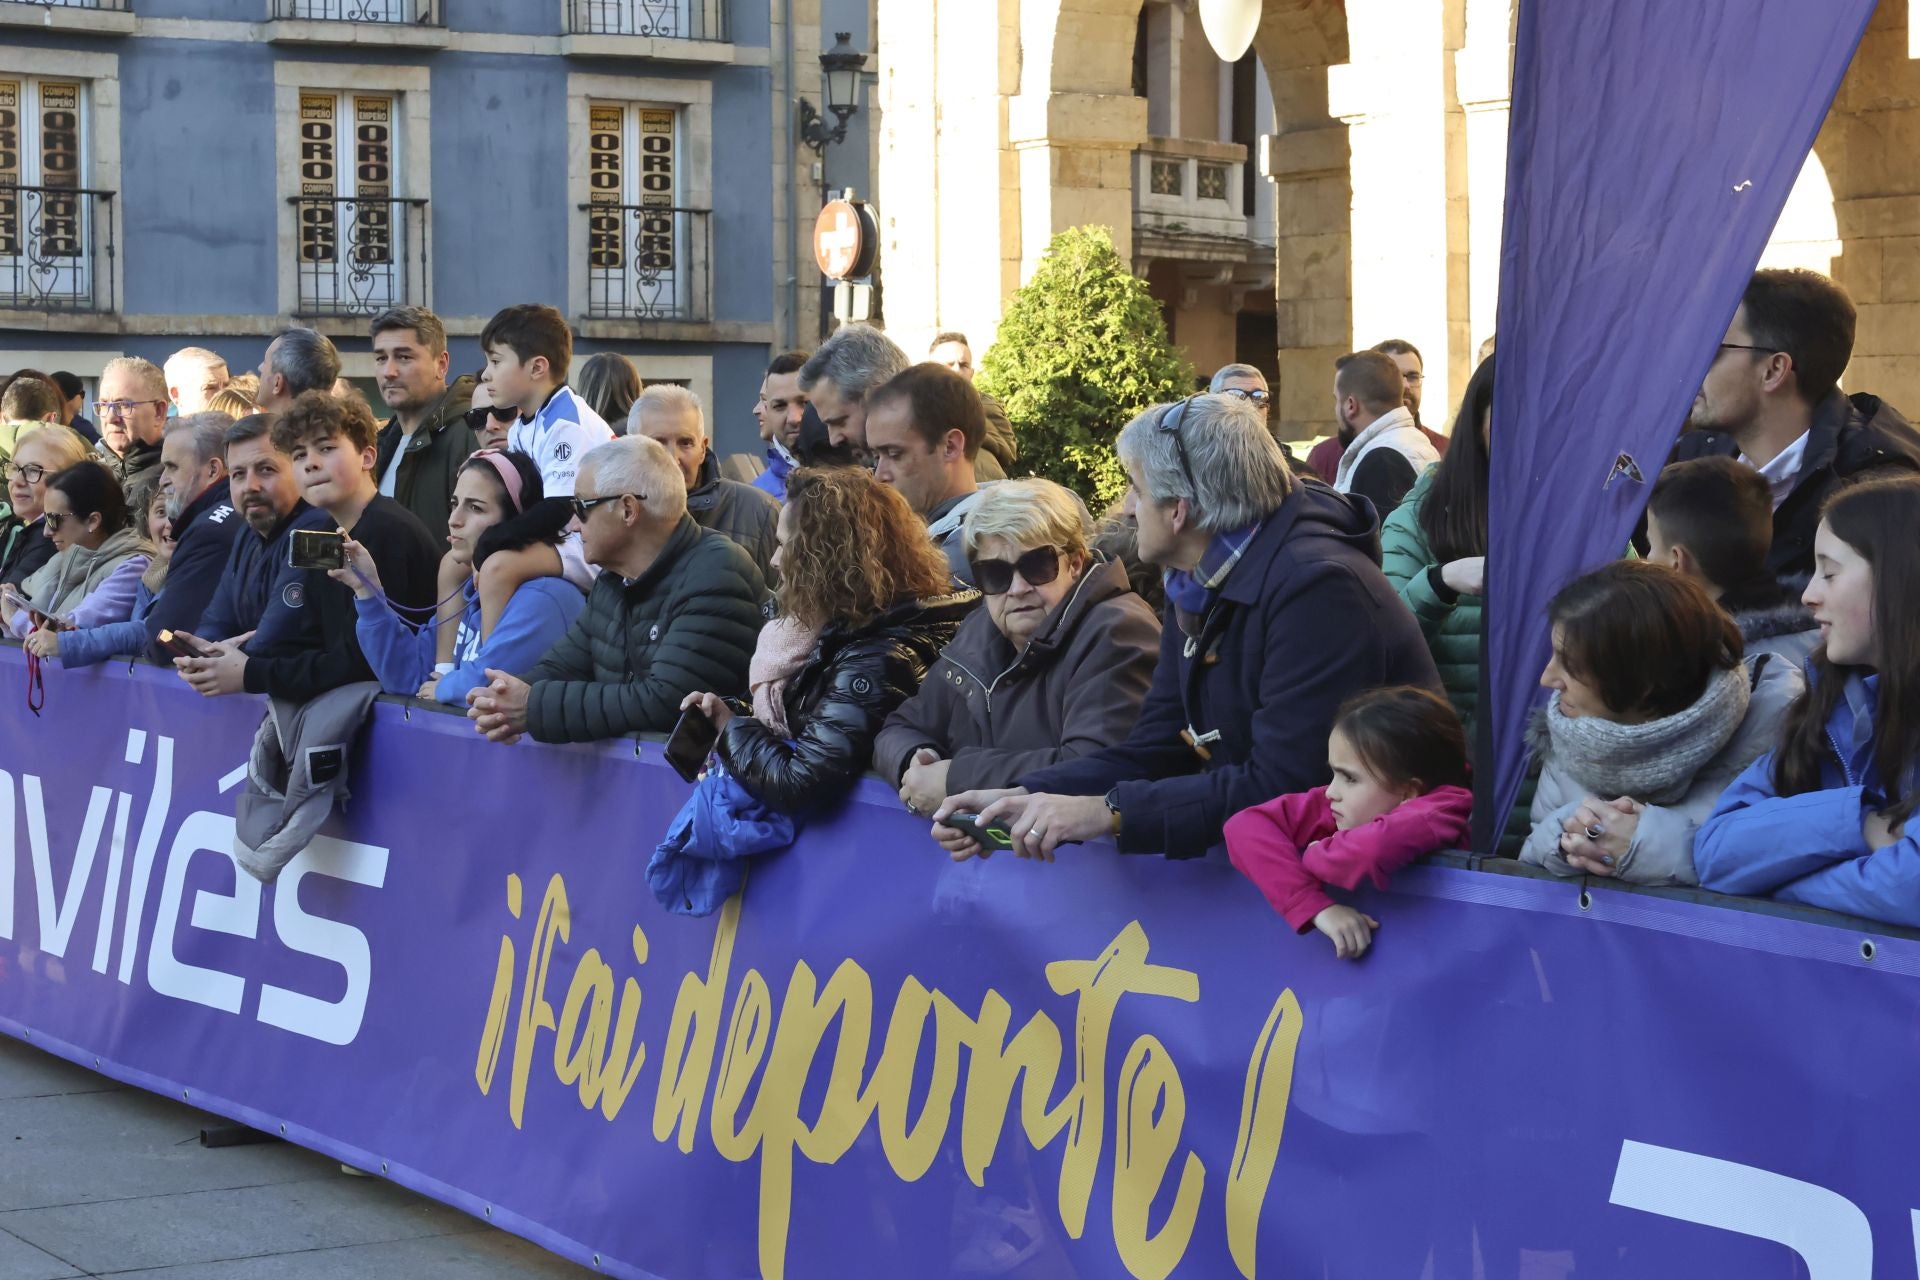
(358, 239)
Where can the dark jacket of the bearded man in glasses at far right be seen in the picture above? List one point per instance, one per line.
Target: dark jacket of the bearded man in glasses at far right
(1850, 437)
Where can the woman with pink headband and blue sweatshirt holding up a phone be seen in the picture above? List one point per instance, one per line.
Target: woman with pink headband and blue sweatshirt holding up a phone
(496, 508)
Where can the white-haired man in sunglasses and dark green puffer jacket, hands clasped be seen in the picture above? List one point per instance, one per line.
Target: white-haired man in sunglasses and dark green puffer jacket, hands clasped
(675, 611)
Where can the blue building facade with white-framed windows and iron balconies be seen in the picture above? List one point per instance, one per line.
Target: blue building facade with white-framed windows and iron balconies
(208, 172)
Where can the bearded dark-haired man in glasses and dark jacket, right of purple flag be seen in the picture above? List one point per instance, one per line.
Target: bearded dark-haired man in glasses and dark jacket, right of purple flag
(1773, 400)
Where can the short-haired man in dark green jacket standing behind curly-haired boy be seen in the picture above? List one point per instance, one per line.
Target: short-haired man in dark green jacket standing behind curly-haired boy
(421, 448)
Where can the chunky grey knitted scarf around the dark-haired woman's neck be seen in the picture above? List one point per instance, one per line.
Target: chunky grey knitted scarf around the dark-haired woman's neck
(1652, 763)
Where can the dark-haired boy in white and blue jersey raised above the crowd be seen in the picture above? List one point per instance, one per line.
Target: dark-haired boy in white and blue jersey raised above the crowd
(529, 350)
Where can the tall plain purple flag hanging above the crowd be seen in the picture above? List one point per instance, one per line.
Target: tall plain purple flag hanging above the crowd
(1650, 154)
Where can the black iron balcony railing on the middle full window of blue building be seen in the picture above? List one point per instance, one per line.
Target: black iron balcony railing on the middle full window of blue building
(358, 256)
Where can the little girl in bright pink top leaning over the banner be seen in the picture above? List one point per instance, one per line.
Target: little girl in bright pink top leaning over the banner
(1399, 792)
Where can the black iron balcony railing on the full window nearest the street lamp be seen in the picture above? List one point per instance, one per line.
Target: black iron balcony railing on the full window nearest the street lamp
(648, 264)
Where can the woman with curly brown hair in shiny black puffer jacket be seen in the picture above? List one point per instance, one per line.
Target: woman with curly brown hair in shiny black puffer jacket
(867, 605)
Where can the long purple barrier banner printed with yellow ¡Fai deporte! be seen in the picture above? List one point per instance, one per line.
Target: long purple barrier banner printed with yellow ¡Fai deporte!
(884, 1064)
